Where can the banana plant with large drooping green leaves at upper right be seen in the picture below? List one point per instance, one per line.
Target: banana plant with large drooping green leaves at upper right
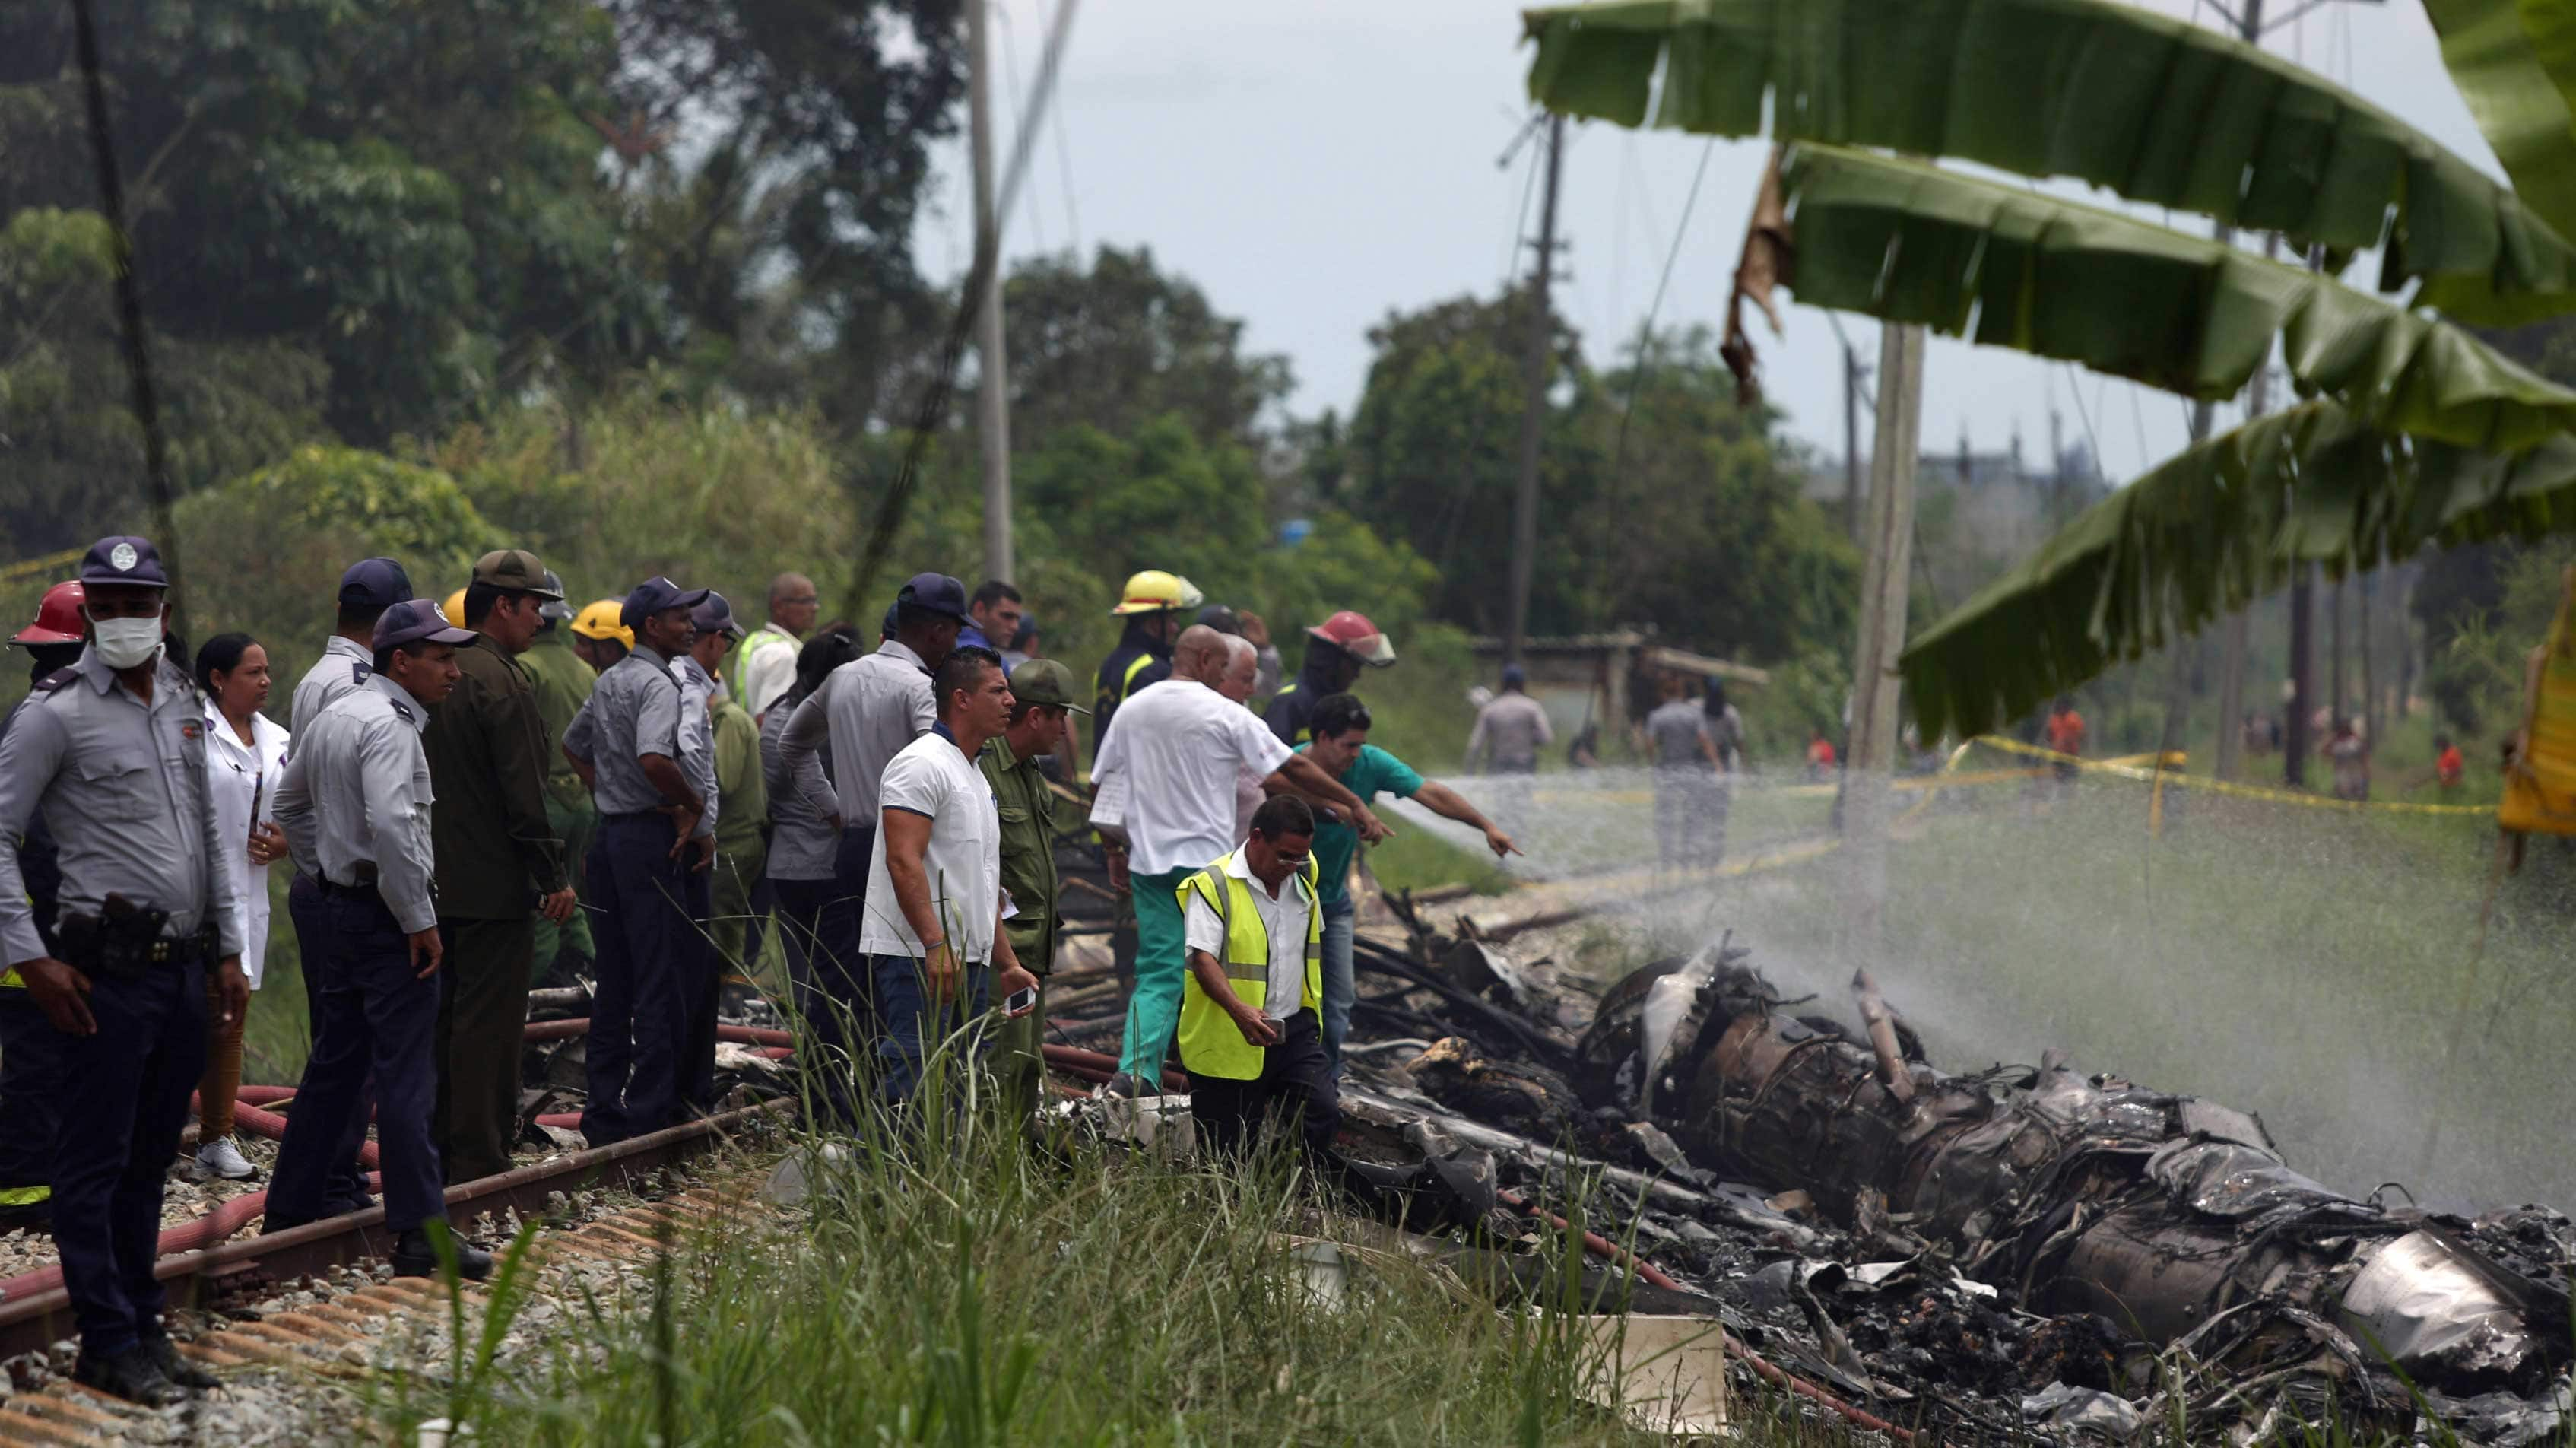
(2430, 437)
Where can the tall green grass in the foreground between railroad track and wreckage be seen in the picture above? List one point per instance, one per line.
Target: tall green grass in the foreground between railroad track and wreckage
(983, 1292)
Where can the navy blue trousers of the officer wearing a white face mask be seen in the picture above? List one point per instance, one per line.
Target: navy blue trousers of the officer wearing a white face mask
(120, 1107)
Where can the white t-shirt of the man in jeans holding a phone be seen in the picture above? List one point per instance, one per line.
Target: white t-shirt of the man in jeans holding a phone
(931, 777)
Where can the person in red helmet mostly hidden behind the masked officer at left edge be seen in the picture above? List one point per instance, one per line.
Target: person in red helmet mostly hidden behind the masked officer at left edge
(30, 1045)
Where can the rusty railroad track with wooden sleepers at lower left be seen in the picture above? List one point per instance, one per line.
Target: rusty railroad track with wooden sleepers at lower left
(236, 1274)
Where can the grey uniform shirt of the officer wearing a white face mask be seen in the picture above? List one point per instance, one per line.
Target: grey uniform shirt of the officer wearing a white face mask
(122, 785)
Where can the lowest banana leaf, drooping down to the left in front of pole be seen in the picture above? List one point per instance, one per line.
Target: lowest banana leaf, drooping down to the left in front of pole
(2209, 532)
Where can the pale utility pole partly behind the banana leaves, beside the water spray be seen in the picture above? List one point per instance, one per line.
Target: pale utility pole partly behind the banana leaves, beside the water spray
(1889, 563)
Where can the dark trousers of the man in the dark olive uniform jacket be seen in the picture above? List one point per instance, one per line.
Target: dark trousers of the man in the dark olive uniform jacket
(480, 1022)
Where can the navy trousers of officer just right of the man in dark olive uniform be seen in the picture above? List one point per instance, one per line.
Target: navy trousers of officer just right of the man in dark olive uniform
(653, 955)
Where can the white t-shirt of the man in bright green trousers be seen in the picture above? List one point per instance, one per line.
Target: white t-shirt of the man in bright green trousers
(1176, 754)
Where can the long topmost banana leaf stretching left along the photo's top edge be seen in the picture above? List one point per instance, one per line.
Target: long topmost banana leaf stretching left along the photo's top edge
(2145, 104)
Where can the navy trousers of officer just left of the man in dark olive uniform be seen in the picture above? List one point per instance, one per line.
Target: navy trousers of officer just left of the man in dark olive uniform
(380, 1022)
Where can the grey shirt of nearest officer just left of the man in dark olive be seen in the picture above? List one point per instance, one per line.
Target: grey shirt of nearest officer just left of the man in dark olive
(359, 792)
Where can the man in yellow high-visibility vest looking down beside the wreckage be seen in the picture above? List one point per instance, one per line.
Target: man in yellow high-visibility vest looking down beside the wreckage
(1251, 1029)
